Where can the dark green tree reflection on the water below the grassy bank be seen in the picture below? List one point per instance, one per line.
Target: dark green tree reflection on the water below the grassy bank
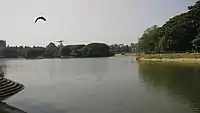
(179, 81)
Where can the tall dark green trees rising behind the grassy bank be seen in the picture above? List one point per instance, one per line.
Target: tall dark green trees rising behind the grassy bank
(179, 34)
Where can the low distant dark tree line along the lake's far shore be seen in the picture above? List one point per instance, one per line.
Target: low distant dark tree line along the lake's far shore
(53, 51)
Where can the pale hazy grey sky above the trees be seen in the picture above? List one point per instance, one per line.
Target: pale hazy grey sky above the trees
(83, 21)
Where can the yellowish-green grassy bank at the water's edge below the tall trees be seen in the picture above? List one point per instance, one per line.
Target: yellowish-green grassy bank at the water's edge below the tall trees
(183, 57)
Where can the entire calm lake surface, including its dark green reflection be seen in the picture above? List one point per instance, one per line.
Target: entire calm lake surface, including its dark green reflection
(103, 85)
